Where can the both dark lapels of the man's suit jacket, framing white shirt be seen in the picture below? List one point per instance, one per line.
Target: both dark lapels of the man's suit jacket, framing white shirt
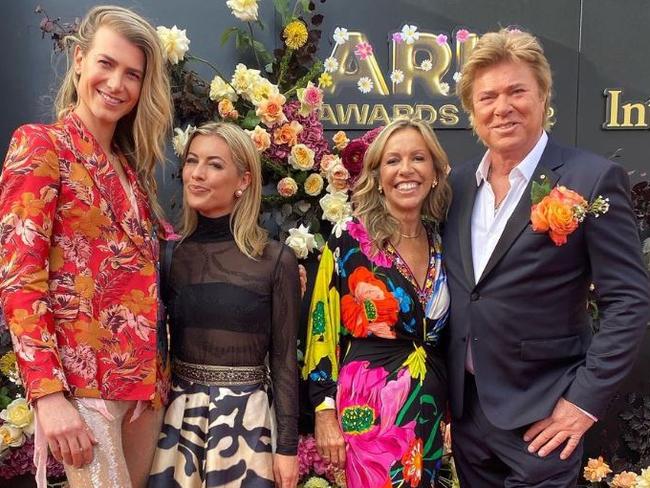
(550, 161)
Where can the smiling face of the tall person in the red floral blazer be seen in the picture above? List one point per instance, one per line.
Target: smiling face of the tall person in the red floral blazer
(110, 80)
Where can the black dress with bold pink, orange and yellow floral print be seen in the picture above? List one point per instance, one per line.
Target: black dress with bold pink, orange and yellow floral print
(373, 348)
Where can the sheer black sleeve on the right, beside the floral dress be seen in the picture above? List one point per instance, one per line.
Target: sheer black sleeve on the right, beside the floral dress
(283, 355)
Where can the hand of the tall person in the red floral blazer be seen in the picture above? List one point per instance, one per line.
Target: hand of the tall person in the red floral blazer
(69, 438)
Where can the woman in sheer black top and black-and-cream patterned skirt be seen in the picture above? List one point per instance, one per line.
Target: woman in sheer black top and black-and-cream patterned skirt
(233, 302)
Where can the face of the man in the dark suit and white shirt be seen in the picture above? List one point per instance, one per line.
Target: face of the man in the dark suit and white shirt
(508, 109)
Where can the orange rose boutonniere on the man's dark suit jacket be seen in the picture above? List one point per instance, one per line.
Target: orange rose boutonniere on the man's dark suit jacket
(559, 211)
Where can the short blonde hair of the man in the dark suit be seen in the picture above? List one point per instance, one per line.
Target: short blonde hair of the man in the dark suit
(507, 45)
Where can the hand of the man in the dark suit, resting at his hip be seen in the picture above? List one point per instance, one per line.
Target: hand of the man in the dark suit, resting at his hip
(566, 423)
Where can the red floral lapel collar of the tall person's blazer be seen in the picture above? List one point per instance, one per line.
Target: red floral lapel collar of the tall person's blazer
(89, 153)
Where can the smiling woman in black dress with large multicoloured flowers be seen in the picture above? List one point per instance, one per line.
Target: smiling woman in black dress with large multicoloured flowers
(373, 361)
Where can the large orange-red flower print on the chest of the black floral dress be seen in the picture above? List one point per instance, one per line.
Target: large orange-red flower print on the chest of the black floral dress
(369, 307)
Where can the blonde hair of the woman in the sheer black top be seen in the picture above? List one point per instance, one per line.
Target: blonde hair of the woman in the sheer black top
(250, 237)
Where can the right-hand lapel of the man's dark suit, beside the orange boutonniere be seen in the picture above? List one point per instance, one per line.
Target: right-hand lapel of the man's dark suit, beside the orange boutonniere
(520, 218)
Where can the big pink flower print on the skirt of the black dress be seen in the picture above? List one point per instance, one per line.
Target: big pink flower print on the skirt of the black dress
(368, 407)
